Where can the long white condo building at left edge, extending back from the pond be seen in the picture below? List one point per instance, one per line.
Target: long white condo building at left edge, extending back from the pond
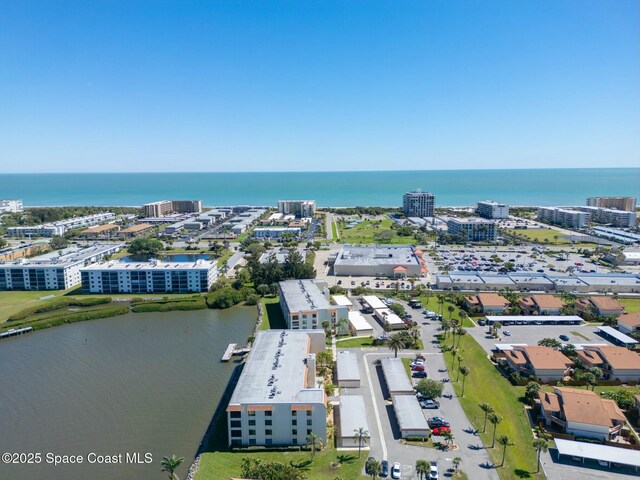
(53, 271)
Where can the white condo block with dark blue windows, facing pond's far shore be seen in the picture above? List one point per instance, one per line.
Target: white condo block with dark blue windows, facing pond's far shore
(154, 276)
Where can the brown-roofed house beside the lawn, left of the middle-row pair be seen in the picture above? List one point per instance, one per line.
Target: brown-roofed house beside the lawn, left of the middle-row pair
(540, 362)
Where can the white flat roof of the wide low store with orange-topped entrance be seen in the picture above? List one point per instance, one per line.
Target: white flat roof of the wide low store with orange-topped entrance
(398, 255)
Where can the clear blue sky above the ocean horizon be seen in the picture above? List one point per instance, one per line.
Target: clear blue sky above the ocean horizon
(301, 85)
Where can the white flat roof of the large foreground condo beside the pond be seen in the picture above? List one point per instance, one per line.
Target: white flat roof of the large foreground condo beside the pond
(275, 370)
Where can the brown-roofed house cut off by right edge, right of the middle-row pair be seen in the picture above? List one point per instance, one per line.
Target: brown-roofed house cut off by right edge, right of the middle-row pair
(616, 363)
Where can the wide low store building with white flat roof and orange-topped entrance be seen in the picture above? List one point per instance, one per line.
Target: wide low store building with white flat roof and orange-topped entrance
(391, 261)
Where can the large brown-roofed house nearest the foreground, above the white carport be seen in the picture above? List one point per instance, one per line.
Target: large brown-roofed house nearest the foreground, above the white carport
(582, 413)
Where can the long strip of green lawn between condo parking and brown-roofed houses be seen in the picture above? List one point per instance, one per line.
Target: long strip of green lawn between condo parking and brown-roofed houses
(485, 385)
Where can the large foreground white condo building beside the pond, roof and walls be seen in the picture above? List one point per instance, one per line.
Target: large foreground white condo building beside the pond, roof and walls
(277, 400)
